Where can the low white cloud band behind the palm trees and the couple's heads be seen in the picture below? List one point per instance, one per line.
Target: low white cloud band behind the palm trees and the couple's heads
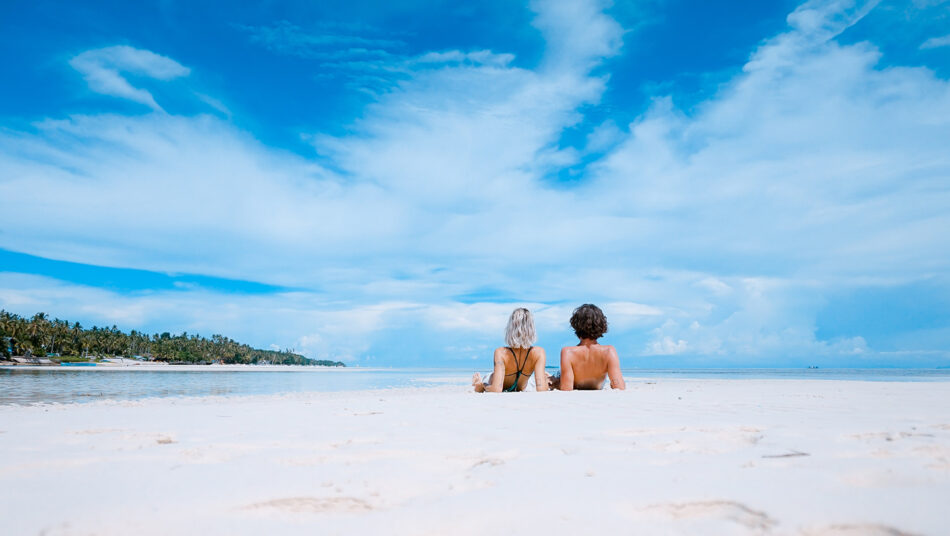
(304, 321)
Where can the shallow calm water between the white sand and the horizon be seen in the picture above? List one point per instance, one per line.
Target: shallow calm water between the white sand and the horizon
(80, 384)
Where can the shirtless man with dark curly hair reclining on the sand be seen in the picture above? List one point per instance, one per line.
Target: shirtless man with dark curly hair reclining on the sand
(588, 364)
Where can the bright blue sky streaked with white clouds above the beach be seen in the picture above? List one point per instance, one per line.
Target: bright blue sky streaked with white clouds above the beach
(736, 183)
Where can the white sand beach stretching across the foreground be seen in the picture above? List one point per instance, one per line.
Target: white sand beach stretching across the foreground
(796, 457)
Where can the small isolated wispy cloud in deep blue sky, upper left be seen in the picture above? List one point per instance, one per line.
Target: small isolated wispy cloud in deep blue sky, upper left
(103, 70)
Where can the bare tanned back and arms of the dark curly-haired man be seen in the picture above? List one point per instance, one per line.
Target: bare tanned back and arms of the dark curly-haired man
(586, 365)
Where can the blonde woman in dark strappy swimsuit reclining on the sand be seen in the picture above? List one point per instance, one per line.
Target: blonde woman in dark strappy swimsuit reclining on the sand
(515, 363)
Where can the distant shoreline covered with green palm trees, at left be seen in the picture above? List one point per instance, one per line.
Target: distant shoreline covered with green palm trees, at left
(64, 341)
